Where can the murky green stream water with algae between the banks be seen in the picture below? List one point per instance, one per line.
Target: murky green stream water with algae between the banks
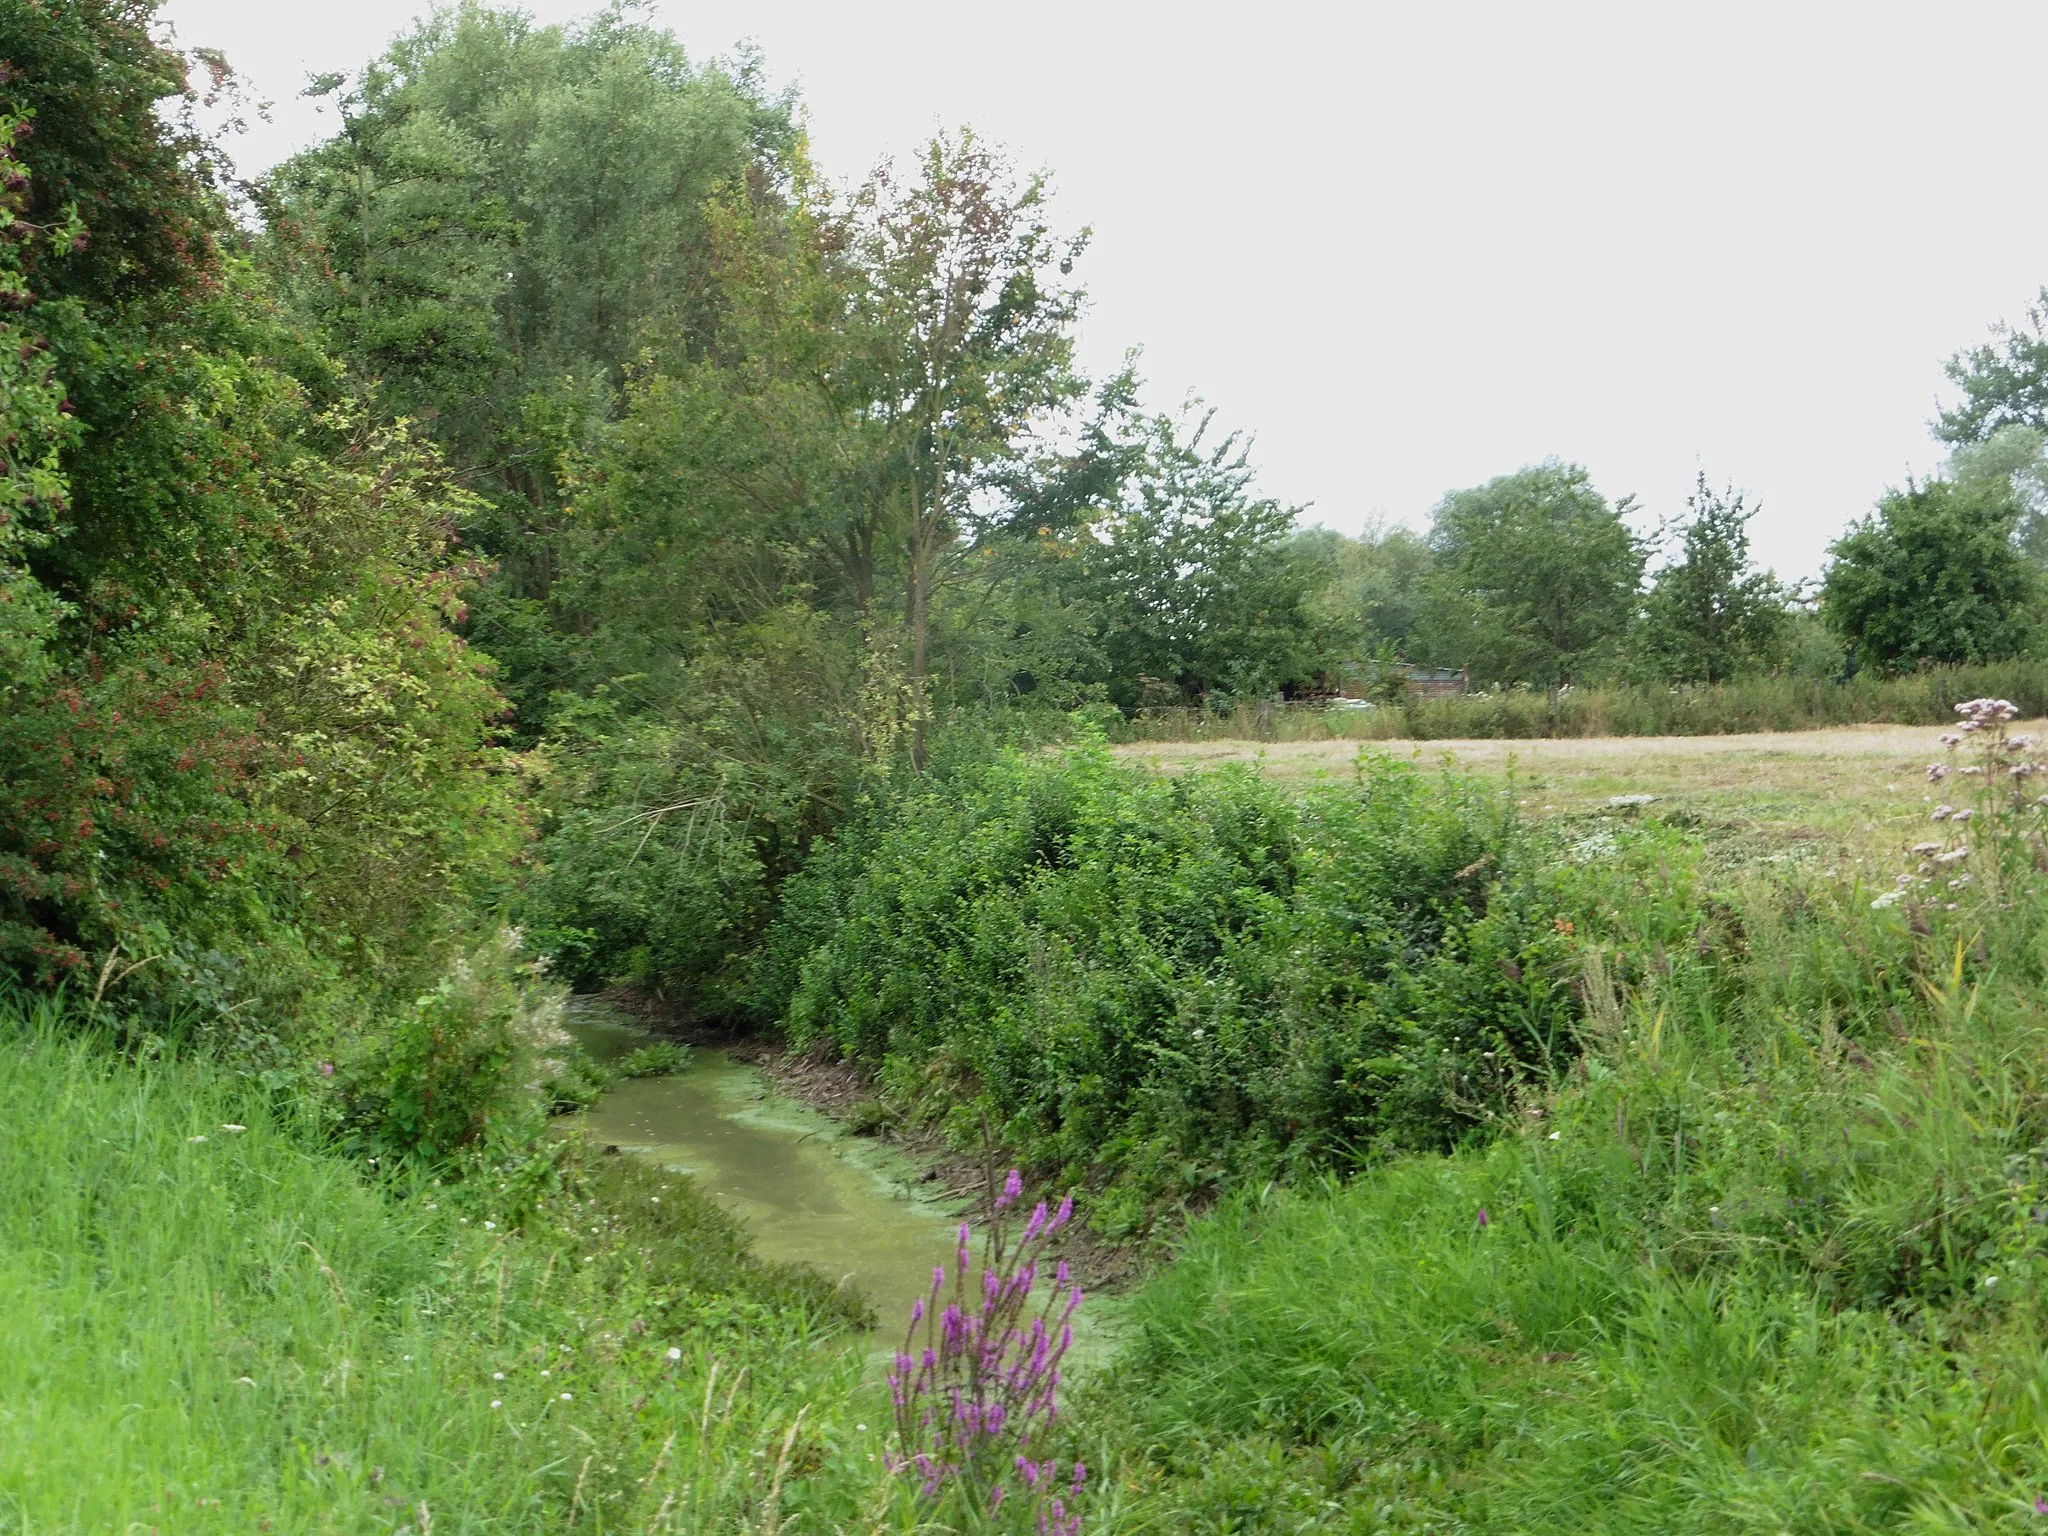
(806, 1189)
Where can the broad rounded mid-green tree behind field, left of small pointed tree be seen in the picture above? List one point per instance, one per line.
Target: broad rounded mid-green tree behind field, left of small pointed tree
(1535, 577)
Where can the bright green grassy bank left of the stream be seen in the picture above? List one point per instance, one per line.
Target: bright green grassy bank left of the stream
(212, 1326)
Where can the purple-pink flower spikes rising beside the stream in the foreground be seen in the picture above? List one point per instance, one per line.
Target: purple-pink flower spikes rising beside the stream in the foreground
(986, 1379)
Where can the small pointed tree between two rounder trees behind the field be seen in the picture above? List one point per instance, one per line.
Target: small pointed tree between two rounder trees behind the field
(1709, 613)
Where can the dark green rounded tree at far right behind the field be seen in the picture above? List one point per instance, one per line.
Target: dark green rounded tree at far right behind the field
(1932, 579)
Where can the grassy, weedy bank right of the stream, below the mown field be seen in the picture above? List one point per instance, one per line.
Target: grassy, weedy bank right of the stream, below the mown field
(1770, 1261)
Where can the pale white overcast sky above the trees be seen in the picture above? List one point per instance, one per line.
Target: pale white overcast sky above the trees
(1414, 247)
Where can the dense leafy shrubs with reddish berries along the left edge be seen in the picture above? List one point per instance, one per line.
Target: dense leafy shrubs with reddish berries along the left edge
(245, 726)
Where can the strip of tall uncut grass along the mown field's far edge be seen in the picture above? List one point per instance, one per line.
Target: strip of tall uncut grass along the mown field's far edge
(1746, 706)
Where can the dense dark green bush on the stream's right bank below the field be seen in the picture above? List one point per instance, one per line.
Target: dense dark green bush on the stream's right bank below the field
(1170, 980)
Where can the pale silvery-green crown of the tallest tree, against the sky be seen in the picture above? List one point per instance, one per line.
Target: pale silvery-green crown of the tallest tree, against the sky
(503, 214)
